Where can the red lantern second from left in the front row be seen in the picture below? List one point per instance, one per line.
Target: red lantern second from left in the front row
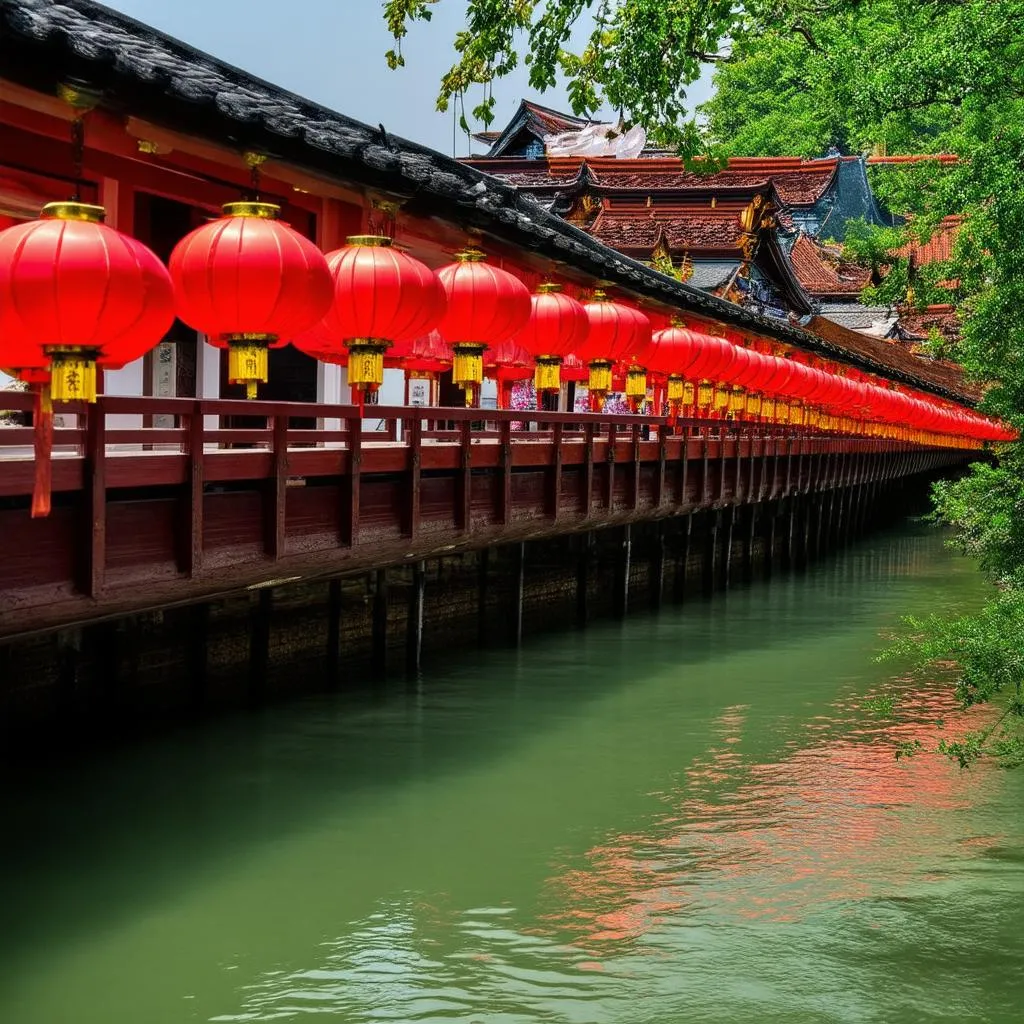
(248, 282)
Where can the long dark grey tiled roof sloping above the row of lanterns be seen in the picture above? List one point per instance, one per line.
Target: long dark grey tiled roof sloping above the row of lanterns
(152, 75)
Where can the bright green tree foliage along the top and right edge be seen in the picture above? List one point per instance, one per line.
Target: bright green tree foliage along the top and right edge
(797, 76)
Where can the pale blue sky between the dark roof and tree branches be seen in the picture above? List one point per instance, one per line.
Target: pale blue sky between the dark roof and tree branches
(332, 52)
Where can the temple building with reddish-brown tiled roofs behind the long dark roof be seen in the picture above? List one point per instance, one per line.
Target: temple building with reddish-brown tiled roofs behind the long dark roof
(765, 233)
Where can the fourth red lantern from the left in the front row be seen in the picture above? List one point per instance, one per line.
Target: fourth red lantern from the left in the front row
(486, 307)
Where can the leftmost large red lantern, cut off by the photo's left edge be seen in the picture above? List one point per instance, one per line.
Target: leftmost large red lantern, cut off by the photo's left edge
(74, 291)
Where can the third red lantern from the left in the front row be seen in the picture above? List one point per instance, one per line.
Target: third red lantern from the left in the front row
(382, 297)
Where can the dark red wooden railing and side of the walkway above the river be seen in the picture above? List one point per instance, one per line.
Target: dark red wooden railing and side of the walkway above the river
(149, 518)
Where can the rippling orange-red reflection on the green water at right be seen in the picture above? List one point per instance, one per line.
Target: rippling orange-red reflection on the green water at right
(837, 822)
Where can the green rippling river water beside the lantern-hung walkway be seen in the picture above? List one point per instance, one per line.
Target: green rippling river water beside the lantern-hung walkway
(691, 817)
